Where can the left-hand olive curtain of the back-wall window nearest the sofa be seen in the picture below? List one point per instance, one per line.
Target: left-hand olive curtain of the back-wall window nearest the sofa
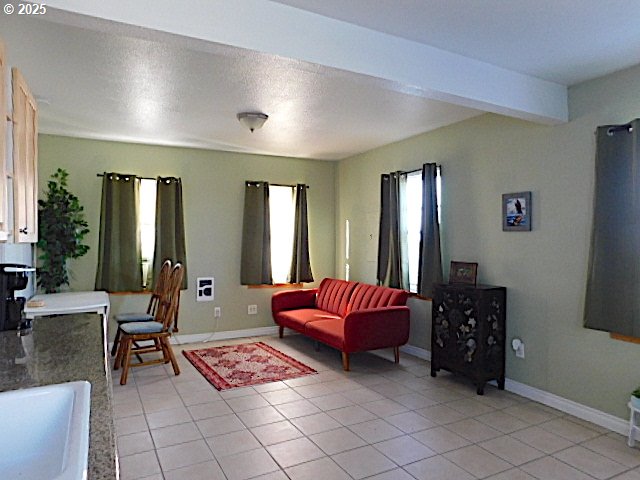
(255, 263)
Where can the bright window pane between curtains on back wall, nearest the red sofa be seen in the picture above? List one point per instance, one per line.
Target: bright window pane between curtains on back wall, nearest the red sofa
(281, 218)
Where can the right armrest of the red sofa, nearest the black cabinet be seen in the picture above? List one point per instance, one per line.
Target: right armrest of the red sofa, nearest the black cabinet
(374, 328)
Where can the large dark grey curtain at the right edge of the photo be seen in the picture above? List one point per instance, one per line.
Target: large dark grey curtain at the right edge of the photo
(612, 302)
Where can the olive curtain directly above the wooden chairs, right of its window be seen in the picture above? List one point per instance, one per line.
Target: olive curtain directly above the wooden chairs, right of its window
(170, 238)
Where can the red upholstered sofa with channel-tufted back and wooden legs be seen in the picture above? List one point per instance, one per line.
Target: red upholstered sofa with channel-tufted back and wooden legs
(348, 316)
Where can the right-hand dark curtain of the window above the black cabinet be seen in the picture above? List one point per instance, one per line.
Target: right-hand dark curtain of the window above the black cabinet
(430, 267)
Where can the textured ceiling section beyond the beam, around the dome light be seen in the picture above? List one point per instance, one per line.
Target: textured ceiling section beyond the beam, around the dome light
(105, 86)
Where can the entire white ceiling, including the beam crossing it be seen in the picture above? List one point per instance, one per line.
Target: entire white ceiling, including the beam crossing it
(135, 81)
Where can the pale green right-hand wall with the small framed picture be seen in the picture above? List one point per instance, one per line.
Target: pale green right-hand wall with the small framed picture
(544, 270)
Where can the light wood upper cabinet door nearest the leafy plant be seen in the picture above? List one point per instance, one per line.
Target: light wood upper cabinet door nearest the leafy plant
(25, 161)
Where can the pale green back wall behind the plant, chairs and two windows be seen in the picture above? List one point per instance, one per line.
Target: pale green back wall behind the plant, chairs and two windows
(213, 194)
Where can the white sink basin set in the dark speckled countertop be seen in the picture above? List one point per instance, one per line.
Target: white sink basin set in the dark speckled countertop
(44, 432)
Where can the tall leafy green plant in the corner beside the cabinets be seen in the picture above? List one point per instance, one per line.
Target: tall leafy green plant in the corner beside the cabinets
(62, 227)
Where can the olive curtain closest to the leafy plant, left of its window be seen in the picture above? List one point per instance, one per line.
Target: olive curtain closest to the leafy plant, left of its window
(119, 255)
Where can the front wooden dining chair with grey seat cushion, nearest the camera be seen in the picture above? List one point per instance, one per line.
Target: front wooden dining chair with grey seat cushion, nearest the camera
(158, 331)
